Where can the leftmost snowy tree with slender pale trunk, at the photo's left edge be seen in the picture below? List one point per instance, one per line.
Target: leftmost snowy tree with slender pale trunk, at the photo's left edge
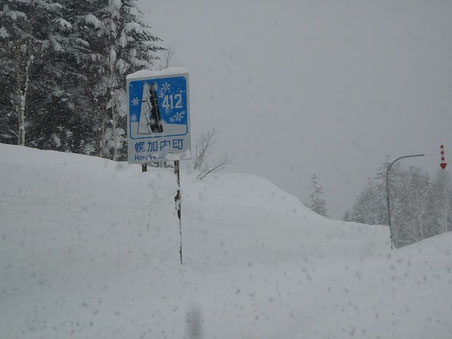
(26, 34)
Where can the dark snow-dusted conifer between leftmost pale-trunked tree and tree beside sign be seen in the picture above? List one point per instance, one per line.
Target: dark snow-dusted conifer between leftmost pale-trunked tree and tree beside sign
(56, 91)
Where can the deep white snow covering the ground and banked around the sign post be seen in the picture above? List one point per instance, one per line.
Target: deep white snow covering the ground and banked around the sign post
(89, 248)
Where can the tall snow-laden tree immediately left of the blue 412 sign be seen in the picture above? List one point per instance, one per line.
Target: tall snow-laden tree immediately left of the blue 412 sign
(119, 43)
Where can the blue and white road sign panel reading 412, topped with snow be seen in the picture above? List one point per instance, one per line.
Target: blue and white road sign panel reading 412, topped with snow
(158, 121)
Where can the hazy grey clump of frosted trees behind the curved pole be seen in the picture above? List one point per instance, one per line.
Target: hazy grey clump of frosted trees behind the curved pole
(419, 207)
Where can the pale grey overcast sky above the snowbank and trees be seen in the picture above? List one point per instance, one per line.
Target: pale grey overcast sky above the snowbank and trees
(326, 87)
